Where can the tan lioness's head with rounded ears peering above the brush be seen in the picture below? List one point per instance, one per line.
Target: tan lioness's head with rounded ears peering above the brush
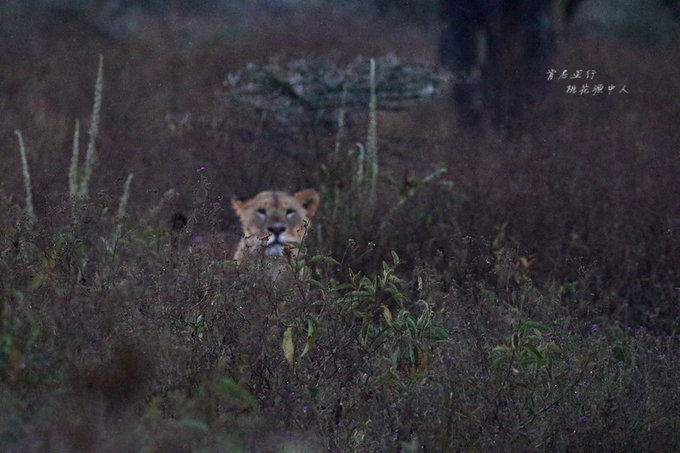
(272, 220)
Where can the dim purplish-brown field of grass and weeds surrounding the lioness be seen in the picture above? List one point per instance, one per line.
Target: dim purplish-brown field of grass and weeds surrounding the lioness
(492, 293)
